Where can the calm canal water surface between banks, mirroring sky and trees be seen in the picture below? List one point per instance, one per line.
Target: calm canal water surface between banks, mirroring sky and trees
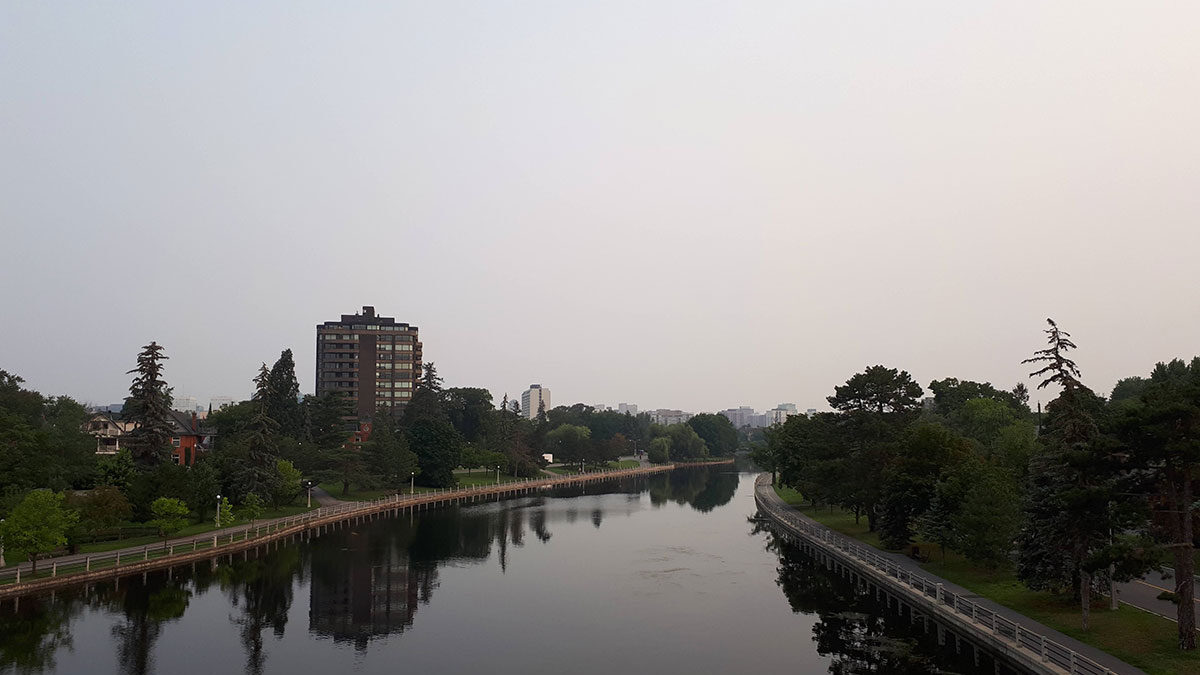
(662, 575)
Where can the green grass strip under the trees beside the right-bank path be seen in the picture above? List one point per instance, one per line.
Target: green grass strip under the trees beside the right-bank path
(1136, 637)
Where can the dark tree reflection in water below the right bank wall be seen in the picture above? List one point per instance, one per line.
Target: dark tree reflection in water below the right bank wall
(851, 630)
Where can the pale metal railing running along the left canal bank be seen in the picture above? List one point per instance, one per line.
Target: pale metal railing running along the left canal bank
(221, 539)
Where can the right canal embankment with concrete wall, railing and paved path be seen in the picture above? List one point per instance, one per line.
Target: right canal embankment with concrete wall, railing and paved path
(951, 608)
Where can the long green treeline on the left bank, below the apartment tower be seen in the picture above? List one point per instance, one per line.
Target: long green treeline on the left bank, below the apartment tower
(56, 492)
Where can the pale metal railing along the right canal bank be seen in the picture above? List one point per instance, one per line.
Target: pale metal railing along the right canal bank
(1048, 650)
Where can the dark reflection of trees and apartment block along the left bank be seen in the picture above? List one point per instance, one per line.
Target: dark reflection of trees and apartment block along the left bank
(364, 582)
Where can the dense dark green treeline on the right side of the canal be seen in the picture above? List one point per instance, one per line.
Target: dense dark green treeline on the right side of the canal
(1089, 493)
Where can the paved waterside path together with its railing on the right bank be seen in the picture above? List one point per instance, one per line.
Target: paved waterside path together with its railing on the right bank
(1051, 647)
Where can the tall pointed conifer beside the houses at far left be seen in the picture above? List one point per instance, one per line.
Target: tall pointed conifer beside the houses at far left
(149, 409)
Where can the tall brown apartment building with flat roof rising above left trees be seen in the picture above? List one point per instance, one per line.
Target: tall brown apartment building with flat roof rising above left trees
(373, 360)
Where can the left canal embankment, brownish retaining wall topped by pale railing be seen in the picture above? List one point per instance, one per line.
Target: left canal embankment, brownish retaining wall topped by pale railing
(62, 571)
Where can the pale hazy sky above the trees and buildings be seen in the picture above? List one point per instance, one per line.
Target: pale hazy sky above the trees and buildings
(679, 205)
